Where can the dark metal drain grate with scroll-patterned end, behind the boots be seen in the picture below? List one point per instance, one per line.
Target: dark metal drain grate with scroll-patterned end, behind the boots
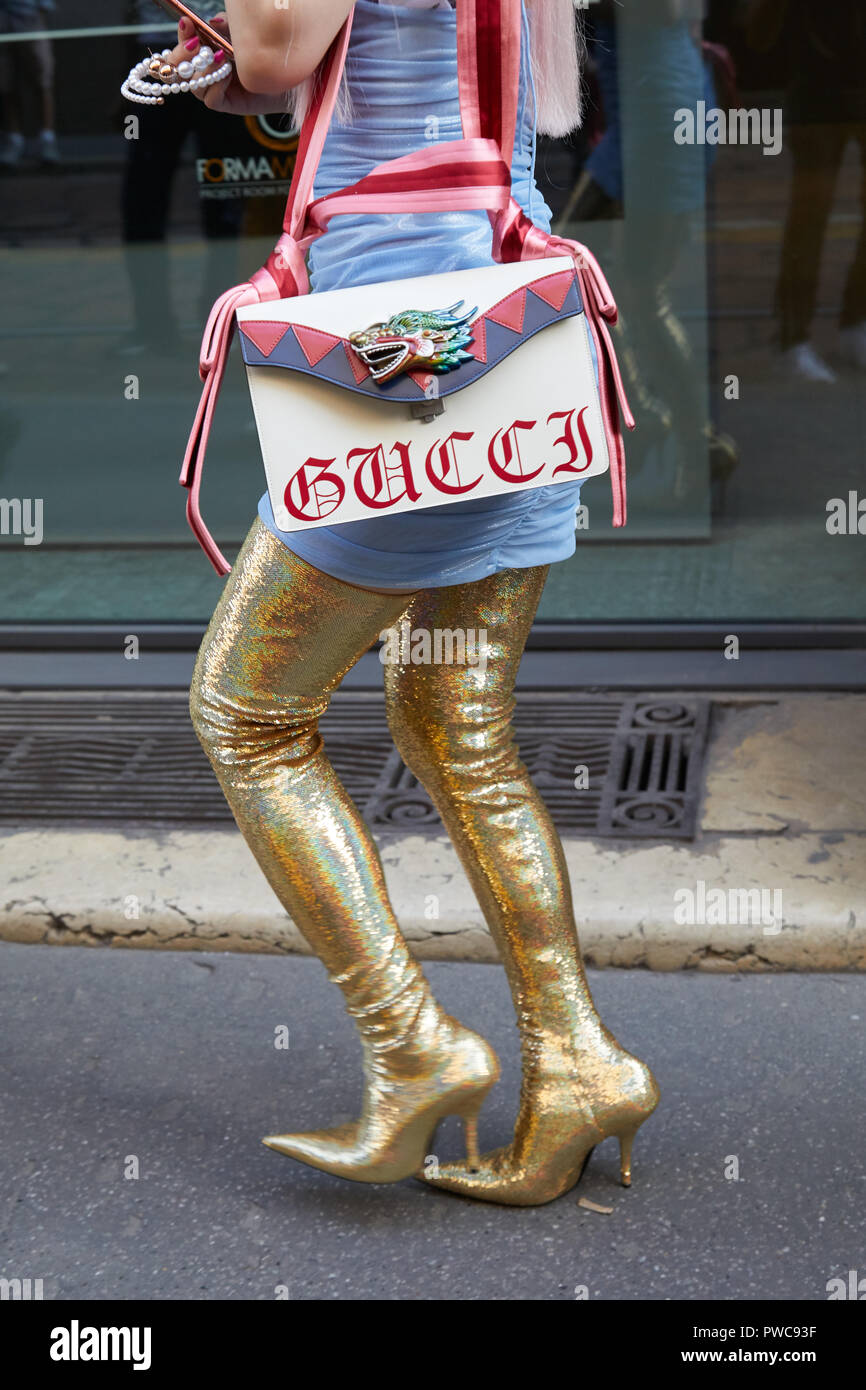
(610, 765)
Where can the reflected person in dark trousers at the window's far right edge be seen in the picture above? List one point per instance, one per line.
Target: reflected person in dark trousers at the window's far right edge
(825, 112)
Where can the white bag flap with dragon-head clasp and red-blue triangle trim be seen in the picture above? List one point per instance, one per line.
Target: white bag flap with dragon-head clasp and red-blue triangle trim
(379, 340)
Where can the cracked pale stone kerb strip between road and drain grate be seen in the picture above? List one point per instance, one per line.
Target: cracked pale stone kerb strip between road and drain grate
(664, 907)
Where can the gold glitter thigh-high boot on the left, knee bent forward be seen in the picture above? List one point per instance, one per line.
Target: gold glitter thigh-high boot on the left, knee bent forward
(281, 639)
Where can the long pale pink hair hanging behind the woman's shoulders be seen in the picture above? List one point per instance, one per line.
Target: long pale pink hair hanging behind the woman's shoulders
(557, 47)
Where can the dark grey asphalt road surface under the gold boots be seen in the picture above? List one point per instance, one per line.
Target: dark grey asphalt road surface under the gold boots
(166, 1065)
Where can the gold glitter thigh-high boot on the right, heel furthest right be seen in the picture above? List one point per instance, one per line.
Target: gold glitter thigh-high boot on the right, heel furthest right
(452, 726)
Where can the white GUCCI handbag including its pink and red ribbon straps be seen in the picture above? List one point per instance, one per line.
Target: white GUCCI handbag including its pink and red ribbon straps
(430, 390)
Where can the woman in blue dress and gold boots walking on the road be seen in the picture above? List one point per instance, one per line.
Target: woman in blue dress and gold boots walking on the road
(300, 610)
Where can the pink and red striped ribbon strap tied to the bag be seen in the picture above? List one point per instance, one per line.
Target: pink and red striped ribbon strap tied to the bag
(471, 173)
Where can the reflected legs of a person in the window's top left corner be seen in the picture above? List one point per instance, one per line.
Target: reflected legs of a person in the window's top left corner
(22, 65)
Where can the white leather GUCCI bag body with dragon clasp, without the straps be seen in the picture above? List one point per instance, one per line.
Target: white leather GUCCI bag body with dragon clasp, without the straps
(425, 391)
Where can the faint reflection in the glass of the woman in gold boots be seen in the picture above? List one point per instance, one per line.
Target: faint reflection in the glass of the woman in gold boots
(639, 169)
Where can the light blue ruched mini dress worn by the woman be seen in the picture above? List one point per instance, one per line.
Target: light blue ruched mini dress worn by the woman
(402, 74)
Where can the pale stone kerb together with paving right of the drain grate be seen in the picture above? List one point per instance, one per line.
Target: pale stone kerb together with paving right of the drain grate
(775, 881)
